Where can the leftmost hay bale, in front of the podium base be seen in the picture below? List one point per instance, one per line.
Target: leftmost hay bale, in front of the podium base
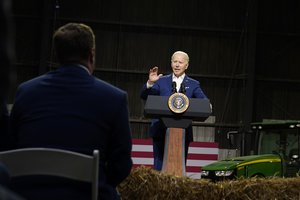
(148, 184)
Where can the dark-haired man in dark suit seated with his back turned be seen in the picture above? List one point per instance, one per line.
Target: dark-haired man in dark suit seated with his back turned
(70, 109)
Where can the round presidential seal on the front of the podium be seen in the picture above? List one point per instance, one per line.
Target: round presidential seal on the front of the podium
(178, 102)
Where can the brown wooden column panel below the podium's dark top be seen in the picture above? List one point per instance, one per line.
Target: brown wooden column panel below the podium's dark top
(174, 153)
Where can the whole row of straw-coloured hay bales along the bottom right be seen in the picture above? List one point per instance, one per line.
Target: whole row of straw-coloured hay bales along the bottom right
(148, 184)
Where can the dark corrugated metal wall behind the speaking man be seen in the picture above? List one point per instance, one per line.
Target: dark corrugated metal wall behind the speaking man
(133, 36)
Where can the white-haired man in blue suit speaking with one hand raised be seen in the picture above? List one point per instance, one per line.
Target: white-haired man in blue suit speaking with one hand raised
(158, 84)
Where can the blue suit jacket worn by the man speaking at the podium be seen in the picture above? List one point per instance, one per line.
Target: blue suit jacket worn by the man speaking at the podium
(163, 87)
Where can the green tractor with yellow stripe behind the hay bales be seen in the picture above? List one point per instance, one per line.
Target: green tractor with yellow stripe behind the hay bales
(276, 150)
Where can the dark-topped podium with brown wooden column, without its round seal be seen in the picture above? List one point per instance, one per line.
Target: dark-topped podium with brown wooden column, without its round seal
(176, 123)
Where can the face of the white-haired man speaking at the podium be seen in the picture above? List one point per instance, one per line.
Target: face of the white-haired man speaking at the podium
(179, 64)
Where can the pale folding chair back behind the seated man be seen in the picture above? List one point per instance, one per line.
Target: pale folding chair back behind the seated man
(53, 162)
